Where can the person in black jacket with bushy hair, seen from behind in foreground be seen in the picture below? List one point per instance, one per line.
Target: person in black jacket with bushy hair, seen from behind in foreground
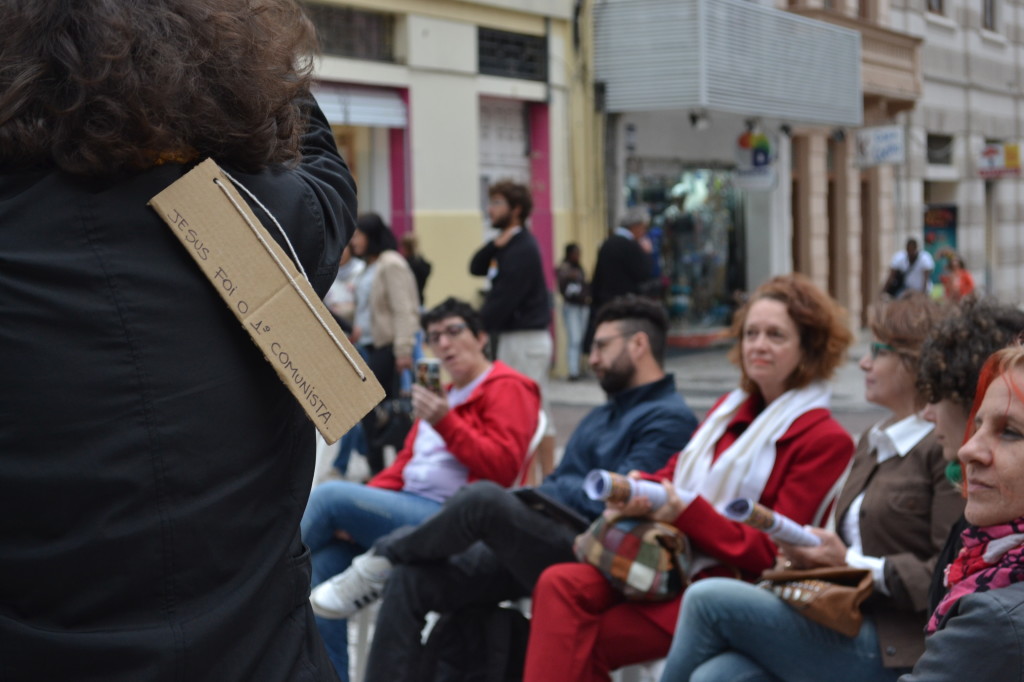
(154, 468)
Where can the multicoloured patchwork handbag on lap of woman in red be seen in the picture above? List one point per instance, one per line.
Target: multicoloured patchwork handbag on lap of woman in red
(646, 561)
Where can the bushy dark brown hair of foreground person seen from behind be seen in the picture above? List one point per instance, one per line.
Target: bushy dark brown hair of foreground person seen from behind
(105, 87)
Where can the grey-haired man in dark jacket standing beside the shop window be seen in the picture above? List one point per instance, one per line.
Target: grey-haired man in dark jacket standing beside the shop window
(623, 266)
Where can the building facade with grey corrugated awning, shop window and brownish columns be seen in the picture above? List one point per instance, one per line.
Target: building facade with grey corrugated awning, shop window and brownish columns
(795, 87)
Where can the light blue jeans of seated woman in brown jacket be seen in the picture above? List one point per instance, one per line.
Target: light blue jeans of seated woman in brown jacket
(735, 632)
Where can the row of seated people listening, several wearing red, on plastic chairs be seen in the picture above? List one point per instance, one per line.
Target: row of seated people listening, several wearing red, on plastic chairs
(442, 532)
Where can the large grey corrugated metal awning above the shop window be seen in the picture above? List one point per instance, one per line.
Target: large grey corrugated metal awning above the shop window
(727, 56)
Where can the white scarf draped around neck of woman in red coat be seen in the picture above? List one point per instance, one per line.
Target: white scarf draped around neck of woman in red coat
(743, 471)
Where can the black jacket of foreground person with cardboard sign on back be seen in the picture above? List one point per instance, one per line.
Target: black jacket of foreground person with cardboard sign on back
(153, 468)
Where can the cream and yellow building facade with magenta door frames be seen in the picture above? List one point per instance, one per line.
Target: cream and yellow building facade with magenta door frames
(433, 102)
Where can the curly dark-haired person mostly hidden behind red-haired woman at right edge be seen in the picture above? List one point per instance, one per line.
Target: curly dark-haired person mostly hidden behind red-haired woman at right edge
(948, 378)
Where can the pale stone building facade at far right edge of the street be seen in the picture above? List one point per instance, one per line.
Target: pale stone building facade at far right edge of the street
(962, 182)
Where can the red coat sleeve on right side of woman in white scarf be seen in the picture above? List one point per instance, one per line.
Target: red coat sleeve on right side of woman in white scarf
(809, 459)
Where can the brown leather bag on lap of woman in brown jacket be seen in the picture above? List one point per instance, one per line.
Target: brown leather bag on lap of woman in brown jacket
(831, 596)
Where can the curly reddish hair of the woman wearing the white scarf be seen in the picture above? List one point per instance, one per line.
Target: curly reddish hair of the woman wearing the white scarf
(825, 335)
